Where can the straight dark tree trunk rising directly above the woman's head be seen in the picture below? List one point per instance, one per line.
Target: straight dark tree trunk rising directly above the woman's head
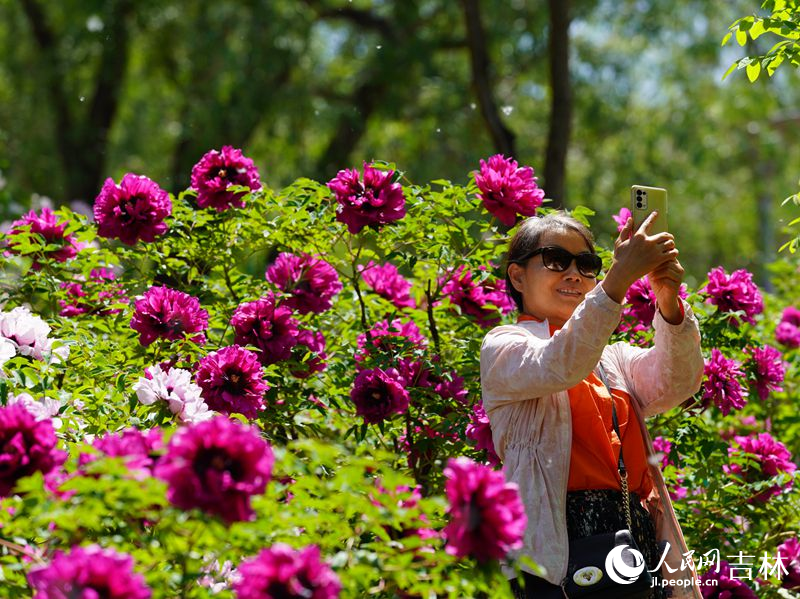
(561, 103)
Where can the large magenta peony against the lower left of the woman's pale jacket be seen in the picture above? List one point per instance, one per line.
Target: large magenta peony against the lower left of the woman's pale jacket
(487, 518)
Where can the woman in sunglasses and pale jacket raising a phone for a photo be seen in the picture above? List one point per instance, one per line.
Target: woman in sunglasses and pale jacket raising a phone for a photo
(550, 412)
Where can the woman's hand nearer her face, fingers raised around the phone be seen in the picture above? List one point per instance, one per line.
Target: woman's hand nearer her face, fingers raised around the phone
(635, 255)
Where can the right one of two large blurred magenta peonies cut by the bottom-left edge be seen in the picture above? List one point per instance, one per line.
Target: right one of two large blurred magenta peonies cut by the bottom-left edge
(286, 573)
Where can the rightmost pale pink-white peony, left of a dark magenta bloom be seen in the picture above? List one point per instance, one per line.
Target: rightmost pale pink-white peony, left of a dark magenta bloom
(173, 386)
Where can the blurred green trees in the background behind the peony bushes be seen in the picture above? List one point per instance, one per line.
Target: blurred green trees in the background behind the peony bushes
(595, 95)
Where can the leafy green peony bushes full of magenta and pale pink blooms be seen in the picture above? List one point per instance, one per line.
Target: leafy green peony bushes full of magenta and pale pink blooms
(239, 391)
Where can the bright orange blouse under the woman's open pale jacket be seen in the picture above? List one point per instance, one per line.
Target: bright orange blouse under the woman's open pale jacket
(595, 445)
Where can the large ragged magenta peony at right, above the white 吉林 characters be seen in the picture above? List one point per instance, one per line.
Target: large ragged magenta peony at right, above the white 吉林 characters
(772, 456)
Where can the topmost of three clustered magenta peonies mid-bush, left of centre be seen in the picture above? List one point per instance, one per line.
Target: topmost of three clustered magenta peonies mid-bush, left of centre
(310, 282)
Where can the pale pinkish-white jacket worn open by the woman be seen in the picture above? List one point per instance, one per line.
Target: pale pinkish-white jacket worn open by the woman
(525, 375)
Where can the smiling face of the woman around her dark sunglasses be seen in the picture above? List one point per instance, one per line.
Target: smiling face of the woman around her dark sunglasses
(552, 295)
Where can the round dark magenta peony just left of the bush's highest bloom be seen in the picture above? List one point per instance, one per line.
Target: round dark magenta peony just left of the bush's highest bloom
(133, 210)
